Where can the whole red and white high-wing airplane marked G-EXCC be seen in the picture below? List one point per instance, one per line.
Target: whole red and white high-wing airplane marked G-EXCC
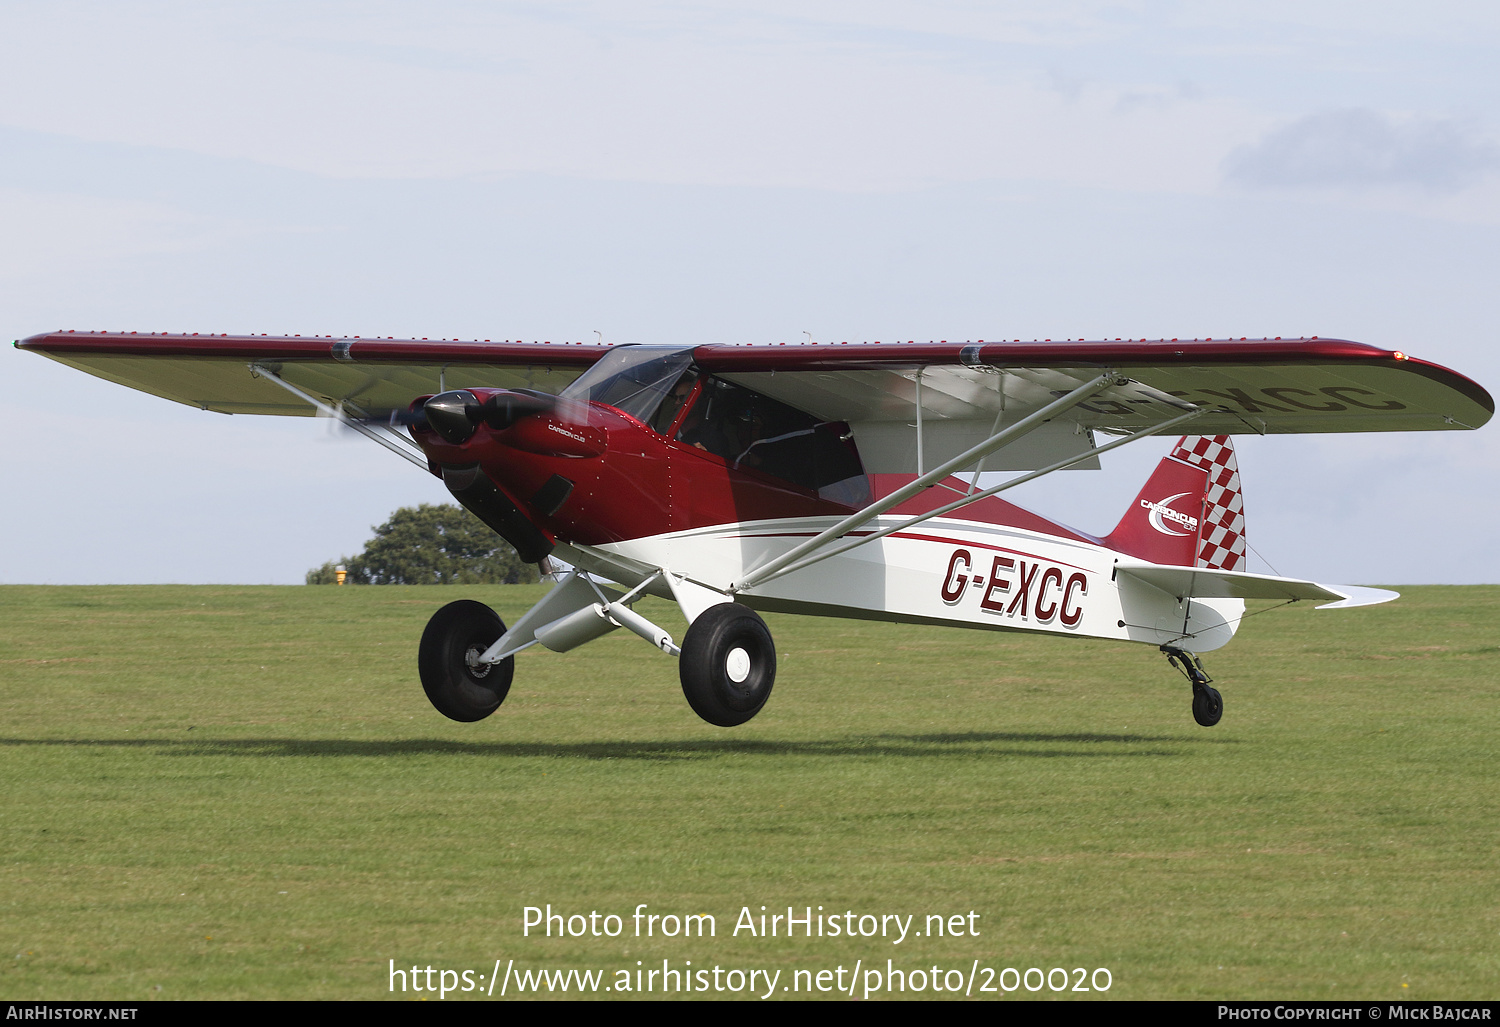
(817, 479)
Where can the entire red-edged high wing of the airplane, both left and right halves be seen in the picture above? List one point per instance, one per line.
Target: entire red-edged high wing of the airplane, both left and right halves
(959, 394)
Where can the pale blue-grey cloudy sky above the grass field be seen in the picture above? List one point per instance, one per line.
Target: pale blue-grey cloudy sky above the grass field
(709, 172)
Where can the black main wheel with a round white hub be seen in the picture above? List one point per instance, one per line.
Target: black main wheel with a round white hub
(710, 665)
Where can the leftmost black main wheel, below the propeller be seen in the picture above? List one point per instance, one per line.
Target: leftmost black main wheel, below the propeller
(457, 683)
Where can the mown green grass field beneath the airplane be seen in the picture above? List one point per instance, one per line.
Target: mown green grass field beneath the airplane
(241, 792)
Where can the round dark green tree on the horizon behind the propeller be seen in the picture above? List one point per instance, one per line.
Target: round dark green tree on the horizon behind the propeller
(431, 546)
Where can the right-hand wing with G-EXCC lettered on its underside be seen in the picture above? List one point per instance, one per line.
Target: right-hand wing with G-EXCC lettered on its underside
(968, 391)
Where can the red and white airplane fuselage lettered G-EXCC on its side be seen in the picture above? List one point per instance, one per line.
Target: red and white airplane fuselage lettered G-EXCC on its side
(604, 485)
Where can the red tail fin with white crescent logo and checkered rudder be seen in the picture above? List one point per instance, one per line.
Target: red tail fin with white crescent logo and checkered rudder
(1190, 513)
